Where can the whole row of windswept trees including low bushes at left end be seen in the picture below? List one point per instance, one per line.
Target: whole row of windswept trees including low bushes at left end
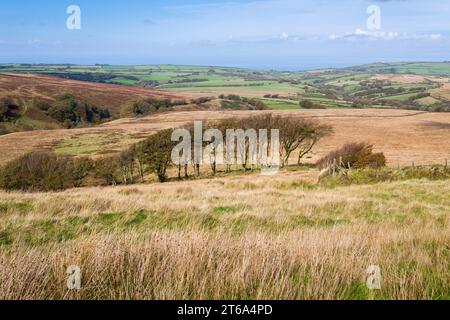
(44, 171)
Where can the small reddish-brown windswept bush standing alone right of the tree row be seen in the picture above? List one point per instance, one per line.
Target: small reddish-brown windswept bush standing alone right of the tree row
(353, 156)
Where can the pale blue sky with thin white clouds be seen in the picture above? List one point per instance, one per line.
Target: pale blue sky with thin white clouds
(261, 34)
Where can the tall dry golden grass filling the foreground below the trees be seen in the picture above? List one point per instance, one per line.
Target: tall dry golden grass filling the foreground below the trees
(228, 238)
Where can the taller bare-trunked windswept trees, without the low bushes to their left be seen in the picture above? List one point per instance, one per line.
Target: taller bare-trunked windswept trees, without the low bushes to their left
(154, 154)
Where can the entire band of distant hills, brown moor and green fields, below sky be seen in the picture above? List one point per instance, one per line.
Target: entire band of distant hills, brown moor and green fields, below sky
(412, 86)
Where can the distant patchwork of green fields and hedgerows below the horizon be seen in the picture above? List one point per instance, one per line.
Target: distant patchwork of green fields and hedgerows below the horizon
(333, 88)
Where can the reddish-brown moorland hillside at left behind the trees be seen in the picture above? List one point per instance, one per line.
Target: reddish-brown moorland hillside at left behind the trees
(35, 95)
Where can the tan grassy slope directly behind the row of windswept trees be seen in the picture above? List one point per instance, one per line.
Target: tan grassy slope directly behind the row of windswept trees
(404, 136)
